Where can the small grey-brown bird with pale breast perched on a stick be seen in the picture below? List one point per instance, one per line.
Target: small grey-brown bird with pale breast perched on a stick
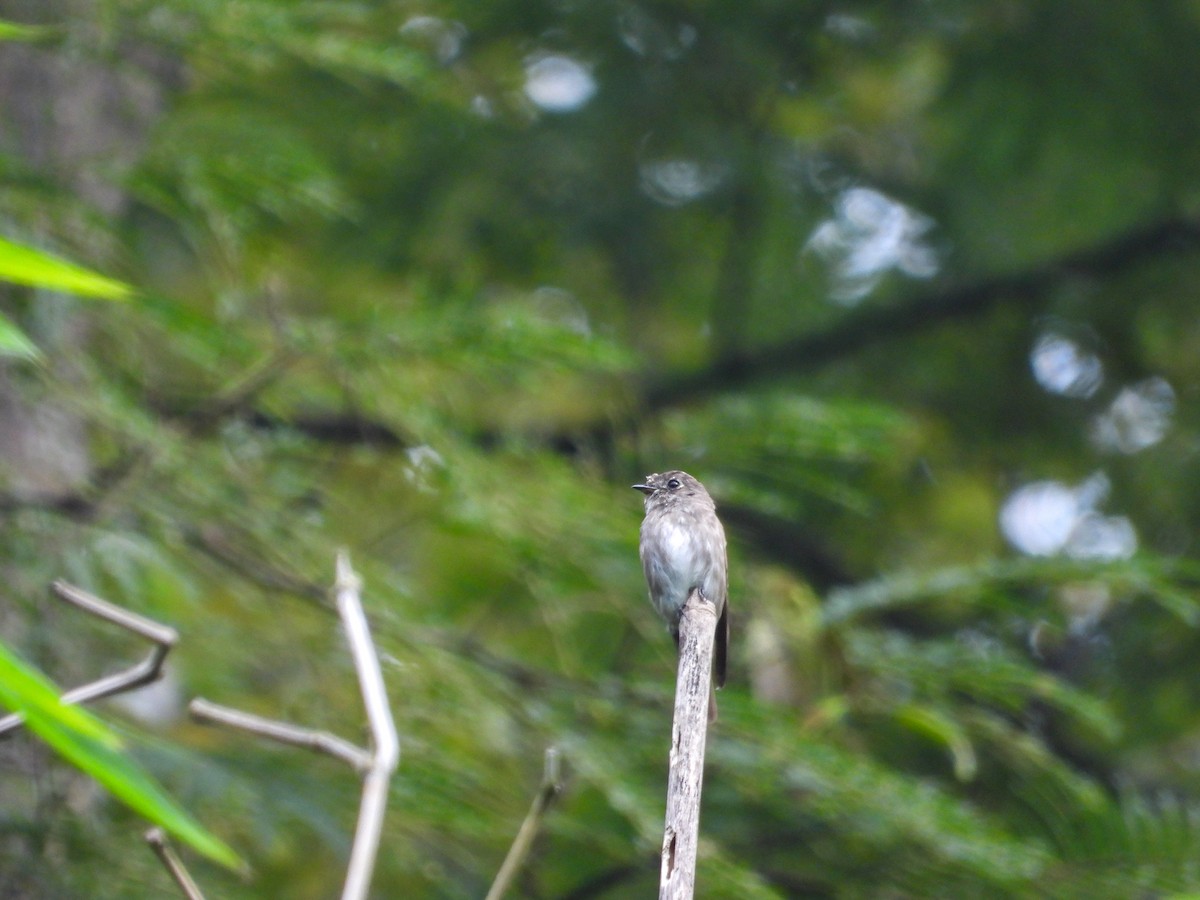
(683, 549)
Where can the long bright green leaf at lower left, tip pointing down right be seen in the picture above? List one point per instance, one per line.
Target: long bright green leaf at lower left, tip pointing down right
(92, 747)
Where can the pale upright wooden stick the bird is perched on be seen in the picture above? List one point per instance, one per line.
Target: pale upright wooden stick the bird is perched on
(689, 730)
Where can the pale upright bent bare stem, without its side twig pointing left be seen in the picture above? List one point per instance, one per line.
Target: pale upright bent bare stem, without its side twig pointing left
(386, 755)
